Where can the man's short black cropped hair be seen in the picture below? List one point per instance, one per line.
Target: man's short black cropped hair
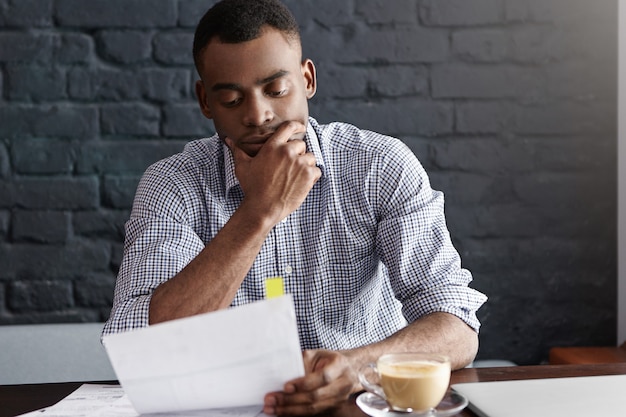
(236, 21)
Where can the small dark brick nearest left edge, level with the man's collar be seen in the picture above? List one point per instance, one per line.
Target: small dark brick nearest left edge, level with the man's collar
(43, 156)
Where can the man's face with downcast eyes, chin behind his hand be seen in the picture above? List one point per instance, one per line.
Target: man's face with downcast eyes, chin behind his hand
(250, 88)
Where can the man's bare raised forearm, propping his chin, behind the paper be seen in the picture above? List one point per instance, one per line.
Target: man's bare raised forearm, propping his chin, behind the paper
(211, 280)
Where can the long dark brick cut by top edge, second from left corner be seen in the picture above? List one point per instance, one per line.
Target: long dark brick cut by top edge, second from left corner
(117, 13)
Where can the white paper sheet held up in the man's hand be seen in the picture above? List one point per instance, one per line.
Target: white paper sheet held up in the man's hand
(228, 358)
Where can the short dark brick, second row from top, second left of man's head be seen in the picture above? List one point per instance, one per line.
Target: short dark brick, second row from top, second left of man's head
(126, 46)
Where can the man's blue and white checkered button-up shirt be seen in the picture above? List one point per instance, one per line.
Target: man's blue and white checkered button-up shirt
(367, 252)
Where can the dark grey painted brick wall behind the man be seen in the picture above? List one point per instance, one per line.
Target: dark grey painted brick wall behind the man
(509, 104)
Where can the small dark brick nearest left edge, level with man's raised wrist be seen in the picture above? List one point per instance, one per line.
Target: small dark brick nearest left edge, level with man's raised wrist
(40, 226)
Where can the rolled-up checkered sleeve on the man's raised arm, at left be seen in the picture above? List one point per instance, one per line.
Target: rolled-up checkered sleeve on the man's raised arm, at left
(159, 243)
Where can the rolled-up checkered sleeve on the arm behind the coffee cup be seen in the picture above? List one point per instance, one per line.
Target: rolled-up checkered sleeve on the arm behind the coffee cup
(425, 270)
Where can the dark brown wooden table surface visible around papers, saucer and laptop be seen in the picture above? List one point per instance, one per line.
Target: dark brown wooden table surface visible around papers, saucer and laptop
(18, 399)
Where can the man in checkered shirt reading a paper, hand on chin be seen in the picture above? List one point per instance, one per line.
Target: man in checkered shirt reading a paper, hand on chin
(346, 217)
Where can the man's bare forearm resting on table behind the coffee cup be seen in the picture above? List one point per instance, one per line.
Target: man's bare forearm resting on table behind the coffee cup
(437, 332)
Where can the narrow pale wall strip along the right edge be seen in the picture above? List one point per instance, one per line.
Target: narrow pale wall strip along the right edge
(621, 182)
